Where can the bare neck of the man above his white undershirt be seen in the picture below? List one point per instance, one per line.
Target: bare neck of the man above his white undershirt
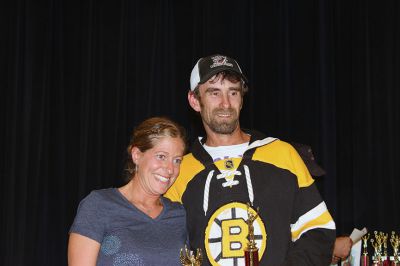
(236, 137)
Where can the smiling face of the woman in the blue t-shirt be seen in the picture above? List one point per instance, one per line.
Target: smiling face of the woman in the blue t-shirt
(158, 167)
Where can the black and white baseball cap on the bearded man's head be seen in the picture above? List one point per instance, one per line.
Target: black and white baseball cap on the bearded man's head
(209, 66)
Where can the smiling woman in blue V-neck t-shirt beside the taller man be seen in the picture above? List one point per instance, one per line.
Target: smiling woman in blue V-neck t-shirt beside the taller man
(135, 224)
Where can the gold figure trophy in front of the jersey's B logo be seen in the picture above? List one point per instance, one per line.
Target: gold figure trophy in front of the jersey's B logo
(251, 251)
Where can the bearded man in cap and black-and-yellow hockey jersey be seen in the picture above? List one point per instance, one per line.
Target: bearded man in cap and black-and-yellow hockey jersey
(232, 167)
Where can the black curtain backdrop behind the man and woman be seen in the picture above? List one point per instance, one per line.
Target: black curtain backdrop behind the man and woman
(77, 76)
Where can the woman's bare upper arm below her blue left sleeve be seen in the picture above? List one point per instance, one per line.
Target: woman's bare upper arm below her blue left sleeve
(82, 251)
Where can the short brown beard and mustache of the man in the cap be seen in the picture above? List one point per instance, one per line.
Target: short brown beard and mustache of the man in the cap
(227, 126)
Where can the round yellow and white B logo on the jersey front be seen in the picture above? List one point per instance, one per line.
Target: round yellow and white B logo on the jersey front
(226, 235)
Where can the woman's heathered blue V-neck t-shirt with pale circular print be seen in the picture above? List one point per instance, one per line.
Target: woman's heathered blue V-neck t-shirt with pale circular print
(127, 235)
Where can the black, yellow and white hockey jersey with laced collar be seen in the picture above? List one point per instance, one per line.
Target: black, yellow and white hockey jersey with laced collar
(293, 226)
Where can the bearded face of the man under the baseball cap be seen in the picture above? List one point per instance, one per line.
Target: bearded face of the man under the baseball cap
(220, 103)
